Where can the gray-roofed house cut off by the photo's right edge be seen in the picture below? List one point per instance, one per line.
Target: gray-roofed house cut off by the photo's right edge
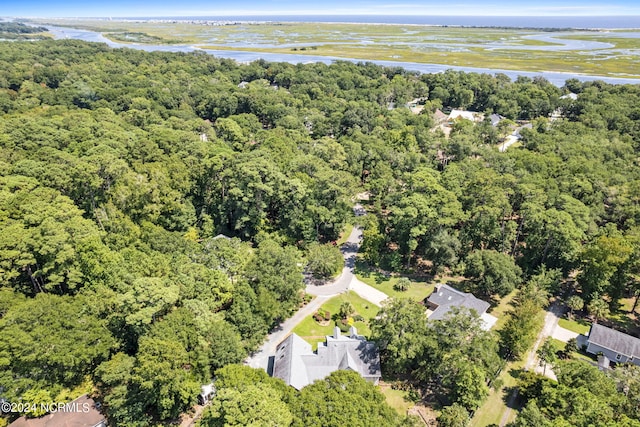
(614, 346)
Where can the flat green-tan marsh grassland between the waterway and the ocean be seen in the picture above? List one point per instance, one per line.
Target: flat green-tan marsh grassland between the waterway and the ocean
(459, 46)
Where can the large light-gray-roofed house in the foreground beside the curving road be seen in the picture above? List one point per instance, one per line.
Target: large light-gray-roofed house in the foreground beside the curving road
(298, 366)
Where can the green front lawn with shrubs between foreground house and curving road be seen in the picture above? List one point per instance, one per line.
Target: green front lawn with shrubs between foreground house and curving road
(314, 332)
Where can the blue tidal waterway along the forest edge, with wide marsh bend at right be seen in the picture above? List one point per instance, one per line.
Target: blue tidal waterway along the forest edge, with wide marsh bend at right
(555, 78)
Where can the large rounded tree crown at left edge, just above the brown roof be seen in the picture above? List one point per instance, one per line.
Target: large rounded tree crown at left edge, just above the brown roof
(50, 341)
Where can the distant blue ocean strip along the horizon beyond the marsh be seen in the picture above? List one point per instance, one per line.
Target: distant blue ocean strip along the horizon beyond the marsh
(578, 22)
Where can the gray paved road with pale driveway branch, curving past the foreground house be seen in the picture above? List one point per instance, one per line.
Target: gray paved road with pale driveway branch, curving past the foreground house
(347, 280)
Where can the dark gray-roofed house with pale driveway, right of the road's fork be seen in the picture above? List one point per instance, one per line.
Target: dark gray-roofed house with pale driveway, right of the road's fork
(444, 298)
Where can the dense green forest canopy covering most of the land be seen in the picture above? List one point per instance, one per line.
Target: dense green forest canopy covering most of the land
(119, 170)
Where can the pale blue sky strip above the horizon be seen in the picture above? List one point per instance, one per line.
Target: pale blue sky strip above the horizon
(151, 8)
